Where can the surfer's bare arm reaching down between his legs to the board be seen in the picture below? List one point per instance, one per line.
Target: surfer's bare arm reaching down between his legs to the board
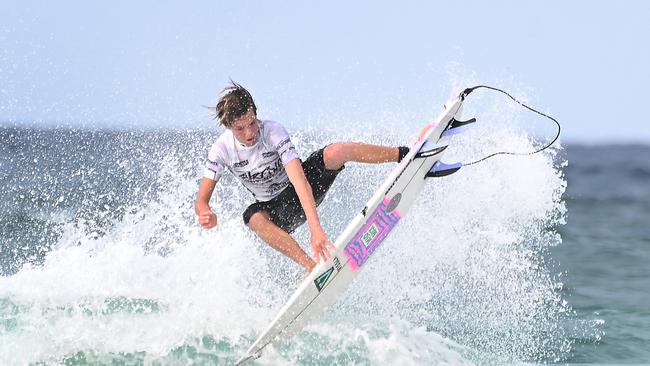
(319, 241)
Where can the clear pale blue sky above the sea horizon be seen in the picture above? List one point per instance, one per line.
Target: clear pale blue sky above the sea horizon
(153, 64)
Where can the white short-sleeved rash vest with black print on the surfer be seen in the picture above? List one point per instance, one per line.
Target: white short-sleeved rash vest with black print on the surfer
(259, 167)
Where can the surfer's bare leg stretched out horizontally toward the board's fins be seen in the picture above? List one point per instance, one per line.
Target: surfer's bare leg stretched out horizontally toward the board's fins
(337, 154)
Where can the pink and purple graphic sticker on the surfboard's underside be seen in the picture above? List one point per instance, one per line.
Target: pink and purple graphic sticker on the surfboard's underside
(368, 238)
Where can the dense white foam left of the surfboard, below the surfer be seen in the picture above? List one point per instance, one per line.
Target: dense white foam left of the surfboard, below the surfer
(138, 288)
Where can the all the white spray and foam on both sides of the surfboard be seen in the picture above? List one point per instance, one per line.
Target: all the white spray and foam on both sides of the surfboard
(466, 262)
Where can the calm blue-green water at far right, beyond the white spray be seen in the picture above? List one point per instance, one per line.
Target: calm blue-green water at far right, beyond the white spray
(606, 250)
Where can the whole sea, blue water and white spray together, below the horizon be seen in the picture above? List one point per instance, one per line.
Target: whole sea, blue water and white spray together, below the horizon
(533, 260)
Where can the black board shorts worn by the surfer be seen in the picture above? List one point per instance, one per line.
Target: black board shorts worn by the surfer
(285, 209)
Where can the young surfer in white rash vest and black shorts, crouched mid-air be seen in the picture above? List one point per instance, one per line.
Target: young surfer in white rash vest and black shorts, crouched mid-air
(261, 155)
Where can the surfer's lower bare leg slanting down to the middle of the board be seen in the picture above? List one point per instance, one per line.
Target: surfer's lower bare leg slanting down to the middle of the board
(279, 239)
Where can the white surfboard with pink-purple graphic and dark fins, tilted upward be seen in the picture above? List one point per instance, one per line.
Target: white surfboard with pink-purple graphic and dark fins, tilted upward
(358, 242)
